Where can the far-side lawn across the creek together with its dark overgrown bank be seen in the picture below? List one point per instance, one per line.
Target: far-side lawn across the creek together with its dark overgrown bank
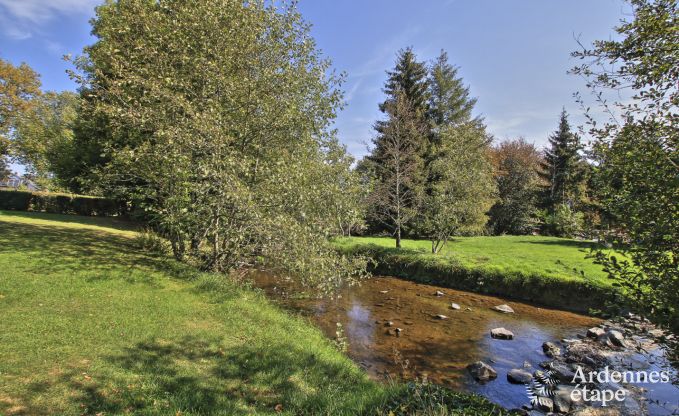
(545, 270)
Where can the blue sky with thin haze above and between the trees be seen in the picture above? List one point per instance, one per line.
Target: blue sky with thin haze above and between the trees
(514, 54)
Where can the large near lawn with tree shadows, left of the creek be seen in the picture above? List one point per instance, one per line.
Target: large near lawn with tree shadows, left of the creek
(91, 325)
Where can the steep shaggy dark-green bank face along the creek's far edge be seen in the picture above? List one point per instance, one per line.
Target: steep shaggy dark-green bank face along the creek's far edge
(566, 294)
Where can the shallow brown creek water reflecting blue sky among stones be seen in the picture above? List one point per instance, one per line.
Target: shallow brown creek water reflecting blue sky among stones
(426, 346)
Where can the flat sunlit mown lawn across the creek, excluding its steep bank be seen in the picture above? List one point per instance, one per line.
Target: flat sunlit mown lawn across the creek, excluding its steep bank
(551, 257)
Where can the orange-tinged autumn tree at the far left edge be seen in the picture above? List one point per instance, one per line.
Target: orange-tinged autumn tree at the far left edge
(18, 86)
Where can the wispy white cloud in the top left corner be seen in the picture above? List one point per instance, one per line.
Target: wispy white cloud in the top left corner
(21, 18)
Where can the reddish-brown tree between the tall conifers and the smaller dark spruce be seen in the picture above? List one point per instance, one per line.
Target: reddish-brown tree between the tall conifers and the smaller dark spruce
(517, 165)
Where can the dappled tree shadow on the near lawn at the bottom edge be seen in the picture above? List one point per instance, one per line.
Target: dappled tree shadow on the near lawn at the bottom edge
(197, 376)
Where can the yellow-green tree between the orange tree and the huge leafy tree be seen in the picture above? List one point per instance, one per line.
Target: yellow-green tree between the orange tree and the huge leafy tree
(43, 139)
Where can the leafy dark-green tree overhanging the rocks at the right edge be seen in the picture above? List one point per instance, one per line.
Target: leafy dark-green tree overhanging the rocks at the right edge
(637, 153)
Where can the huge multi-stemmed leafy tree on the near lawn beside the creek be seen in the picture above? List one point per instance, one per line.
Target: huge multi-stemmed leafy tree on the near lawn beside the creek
(216, 118)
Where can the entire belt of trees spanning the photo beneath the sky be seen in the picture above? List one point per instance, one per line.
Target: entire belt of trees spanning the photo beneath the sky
(215, 118)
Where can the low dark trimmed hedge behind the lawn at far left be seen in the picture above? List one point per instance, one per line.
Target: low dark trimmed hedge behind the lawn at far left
(60, 203)
